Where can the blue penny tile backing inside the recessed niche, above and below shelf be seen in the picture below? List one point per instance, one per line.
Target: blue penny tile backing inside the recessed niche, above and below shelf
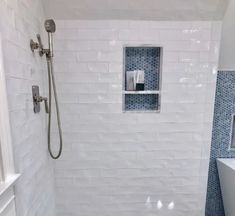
(148, 60)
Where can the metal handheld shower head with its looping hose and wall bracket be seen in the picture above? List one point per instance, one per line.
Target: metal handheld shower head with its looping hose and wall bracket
(50, 28)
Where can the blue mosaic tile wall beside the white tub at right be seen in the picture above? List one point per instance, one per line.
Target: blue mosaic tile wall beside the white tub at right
(224, 108)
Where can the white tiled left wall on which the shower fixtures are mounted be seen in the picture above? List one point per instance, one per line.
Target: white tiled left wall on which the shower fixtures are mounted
(21, 20)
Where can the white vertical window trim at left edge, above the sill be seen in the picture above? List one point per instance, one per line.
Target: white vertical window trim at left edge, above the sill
(6, 154)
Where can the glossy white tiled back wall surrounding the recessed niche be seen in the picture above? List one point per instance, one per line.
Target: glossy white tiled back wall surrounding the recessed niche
(117, 163)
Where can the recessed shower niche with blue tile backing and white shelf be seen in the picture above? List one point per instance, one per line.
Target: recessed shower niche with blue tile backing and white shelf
(142, 78)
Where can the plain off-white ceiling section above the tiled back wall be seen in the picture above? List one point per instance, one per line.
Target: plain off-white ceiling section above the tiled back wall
(137, 9)
